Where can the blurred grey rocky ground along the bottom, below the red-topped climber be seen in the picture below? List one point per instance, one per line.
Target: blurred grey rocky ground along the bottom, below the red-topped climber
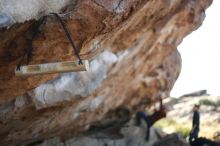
(131, 136)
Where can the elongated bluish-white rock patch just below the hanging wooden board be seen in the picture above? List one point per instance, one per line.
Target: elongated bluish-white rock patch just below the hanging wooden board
(74, 85)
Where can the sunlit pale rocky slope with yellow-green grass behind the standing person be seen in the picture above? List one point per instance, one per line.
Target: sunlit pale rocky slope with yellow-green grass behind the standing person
(179, 118)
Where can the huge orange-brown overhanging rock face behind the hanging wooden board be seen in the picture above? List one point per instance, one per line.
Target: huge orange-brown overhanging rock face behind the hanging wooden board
(131, 46)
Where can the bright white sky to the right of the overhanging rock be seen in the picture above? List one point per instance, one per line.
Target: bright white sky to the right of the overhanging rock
(200, 52)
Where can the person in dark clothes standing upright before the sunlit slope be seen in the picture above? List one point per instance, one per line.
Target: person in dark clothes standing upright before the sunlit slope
(195, 124)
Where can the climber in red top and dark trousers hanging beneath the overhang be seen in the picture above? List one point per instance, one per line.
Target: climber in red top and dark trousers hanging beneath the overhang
(151, 119)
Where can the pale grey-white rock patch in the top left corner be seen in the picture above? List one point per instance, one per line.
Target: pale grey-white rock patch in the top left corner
(23, 10)
